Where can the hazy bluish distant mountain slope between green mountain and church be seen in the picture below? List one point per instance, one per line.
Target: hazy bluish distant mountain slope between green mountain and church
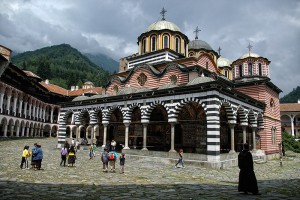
(104, 61)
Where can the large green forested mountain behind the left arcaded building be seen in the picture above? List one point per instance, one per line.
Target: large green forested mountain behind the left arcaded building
(63, 65)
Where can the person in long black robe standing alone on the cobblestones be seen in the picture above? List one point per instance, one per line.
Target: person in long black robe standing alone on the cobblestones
(247, 178)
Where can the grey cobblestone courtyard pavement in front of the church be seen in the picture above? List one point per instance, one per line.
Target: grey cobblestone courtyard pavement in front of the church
(143, 179)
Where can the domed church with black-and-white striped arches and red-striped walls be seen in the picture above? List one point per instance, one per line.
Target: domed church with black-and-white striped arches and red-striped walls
(180, 94)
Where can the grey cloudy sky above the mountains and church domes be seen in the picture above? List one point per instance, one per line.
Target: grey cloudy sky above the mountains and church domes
(112, 27)
